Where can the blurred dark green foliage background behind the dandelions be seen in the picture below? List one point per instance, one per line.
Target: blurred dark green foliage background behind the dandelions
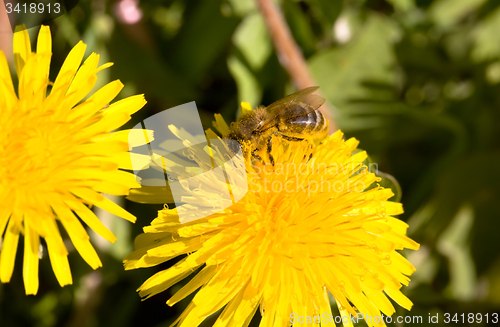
(416, 81)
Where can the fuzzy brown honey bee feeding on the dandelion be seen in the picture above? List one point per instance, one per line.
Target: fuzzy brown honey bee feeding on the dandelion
(294, 118)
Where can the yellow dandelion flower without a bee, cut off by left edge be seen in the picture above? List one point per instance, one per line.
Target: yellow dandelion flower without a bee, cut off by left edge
(57, 154)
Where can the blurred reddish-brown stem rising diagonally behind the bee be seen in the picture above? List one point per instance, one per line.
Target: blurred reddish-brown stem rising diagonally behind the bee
(289, 53)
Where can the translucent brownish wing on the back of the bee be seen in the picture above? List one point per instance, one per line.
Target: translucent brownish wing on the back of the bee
(281, 108)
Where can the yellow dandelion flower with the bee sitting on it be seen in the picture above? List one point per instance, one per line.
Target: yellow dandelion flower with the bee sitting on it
(315, 222)
